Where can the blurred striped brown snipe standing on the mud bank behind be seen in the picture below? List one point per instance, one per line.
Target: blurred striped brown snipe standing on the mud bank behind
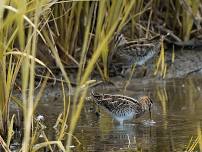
(126, 54)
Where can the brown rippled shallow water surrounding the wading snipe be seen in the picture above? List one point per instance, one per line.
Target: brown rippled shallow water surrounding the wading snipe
(176, 113)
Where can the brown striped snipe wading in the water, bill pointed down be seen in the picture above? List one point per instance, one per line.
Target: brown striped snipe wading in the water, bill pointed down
(123, 107)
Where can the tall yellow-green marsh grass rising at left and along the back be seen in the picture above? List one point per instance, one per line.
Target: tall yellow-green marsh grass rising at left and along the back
(75, 32)
